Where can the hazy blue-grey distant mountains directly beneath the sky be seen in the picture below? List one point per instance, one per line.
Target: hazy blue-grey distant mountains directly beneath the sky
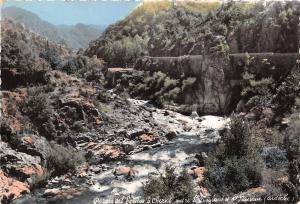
(75, 37)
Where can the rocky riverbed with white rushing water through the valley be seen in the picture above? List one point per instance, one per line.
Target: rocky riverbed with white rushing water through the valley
(181, 142)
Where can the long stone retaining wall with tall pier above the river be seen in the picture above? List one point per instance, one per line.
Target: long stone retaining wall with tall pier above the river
(217, 89)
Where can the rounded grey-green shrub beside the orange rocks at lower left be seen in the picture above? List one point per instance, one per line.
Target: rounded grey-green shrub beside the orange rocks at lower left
(62, 159)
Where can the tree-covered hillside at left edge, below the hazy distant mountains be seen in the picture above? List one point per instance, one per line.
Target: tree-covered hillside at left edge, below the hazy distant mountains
(27, 52)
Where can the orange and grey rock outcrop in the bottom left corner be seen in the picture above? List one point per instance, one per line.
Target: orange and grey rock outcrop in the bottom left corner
(24, 161)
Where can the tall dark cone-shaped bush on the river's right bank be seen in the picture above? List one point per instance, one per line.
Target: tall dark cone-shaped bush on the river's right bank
(236, 165)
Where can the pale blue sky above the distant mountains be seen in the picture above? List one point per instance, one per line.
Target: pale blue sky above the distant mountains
(99, 12)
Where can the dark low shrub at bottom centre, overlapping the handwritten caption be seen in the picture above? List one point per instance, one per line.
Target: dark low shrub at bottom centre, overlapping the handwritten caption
(170, 186)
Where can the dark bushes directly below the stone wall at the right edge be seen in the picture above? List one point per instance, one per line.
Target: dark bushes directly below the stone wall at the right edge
(261, 92)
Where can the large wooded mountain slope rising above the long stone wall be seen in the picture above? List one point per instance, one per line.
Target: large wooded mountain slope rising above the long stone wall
(174, 30)
